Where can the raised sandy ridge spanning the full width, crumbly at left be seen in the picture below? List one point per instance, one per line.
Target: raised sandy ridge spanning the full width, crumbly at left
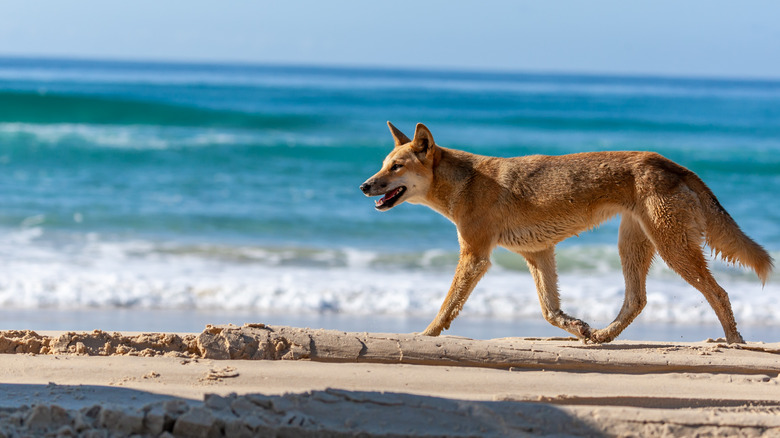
(262, 342)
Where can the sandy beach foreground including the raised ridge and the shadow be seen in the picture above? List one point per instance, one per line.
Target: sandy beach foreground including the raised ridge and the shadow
(328, 383)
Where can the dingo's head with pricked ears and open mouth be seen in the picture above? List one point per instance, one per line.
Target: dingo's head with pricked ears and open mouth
(407, 172)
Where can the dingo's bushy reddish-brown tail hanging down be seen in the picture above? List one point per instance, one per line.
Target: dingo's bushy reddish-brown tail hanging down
(725, 237)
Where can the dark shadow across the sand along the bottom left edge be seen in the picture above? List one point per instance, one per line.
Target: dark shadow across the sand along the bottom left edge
(41, 409)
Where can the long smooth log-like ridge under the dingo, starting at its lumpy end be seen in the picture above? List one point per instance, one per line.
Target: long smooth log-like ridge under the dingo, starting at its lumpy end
(258, 341)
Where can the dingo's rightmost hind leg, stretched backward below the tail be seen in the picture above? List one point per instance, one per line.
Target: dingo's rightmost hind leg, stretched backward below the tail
(678, 239)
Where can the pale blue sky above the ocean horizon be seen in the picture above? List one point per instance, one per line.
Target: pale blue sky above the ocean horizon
(710, 38)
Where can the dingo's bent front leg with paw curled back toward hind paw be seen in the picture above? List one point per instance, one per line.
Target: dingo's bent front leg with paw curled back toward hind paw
(542, 267)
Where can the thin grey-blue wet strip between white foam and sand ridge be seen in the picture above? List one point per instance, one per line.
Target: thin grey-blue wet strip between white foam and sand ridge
(193, 320)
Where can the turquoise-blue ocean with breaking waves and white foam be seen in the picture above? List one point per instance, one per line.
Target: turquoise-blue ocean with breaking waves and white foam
(153, 196)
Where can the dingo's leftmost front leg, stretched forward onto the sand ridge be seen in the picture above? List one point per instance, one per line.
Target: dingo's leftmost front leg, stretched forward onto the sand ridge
(471, 267)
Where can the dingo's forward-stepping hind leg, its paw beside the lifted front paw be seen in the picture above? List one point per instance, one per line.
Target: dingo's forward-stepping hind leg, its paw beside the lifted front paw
(636, 256)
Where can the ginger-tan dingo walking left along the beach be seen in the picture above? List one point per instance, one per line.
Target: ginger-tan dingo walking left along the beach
(529, 204)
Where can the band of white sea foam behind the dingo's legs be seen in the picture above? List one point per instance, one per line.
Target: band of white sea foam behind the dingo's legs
(147, 275)
